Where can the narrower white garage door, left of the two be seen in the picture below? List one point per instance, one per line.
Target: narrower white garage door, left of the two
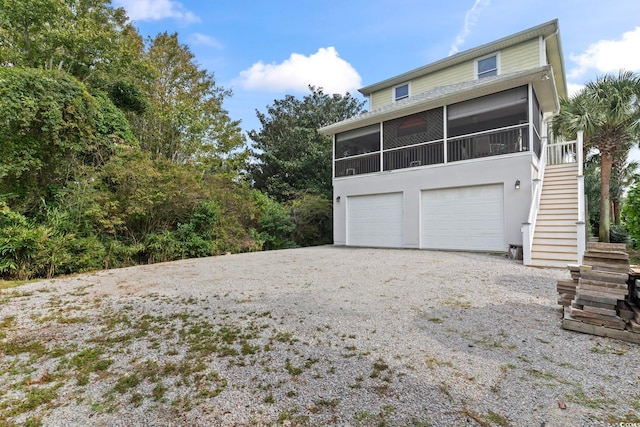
(375, 220)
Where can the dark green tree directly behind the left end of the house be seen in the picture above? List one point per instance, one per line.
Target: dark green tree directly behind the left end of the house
(290, 155)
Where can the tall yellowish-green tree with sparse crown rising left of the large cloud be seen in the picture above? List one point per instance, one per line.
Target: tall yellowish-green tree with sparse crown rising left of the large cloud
(185, 121)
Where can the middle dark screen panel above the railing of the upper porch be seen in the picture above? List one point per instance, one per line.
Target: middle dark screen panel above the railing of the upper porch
(414, 129)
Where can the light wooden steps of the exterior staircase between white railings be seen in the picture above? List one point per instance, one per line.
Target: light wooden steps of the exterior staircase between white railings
(555, 238)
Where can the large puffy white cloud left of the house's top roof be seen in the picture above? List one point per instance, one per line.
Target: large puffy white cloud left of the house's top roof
(323, 69)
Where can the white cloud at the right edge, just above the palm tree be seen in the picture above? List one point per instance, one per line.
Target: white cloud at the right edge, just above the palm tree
(606, 56)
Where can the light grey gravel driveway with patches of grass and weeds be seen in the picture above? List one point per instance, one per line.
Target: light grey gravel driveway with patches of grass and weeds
(313, 336)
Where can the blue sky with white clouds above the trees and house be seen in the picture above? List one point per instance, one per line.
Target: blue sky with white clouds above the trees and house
(264, 50)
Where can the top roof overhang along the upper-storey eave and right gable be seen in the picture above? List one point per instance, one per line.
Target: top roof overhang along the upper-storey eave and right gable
(546, 30)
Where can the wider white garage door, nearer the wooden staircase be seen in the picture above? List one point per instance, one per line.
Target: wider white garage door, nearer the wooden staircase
(467, 218)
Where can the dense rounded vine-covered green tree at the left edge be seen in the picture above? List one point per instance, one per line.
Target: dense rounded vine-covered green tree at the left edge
(51, 127)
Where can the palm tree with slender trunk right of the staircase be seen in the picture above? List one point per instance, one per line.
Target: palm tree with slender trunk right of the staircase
(608, 111)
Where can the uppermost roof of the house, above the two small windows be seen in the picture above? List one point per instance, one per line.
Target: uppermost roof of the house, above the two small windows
(548, 30)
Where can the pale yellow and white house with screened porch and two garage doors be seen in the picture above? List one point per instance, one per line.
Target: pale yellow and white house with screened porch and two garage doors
(452, 156)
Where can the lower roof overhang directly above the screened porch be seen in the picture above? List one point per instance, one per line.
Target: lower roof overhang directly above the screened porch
(542, 79)
